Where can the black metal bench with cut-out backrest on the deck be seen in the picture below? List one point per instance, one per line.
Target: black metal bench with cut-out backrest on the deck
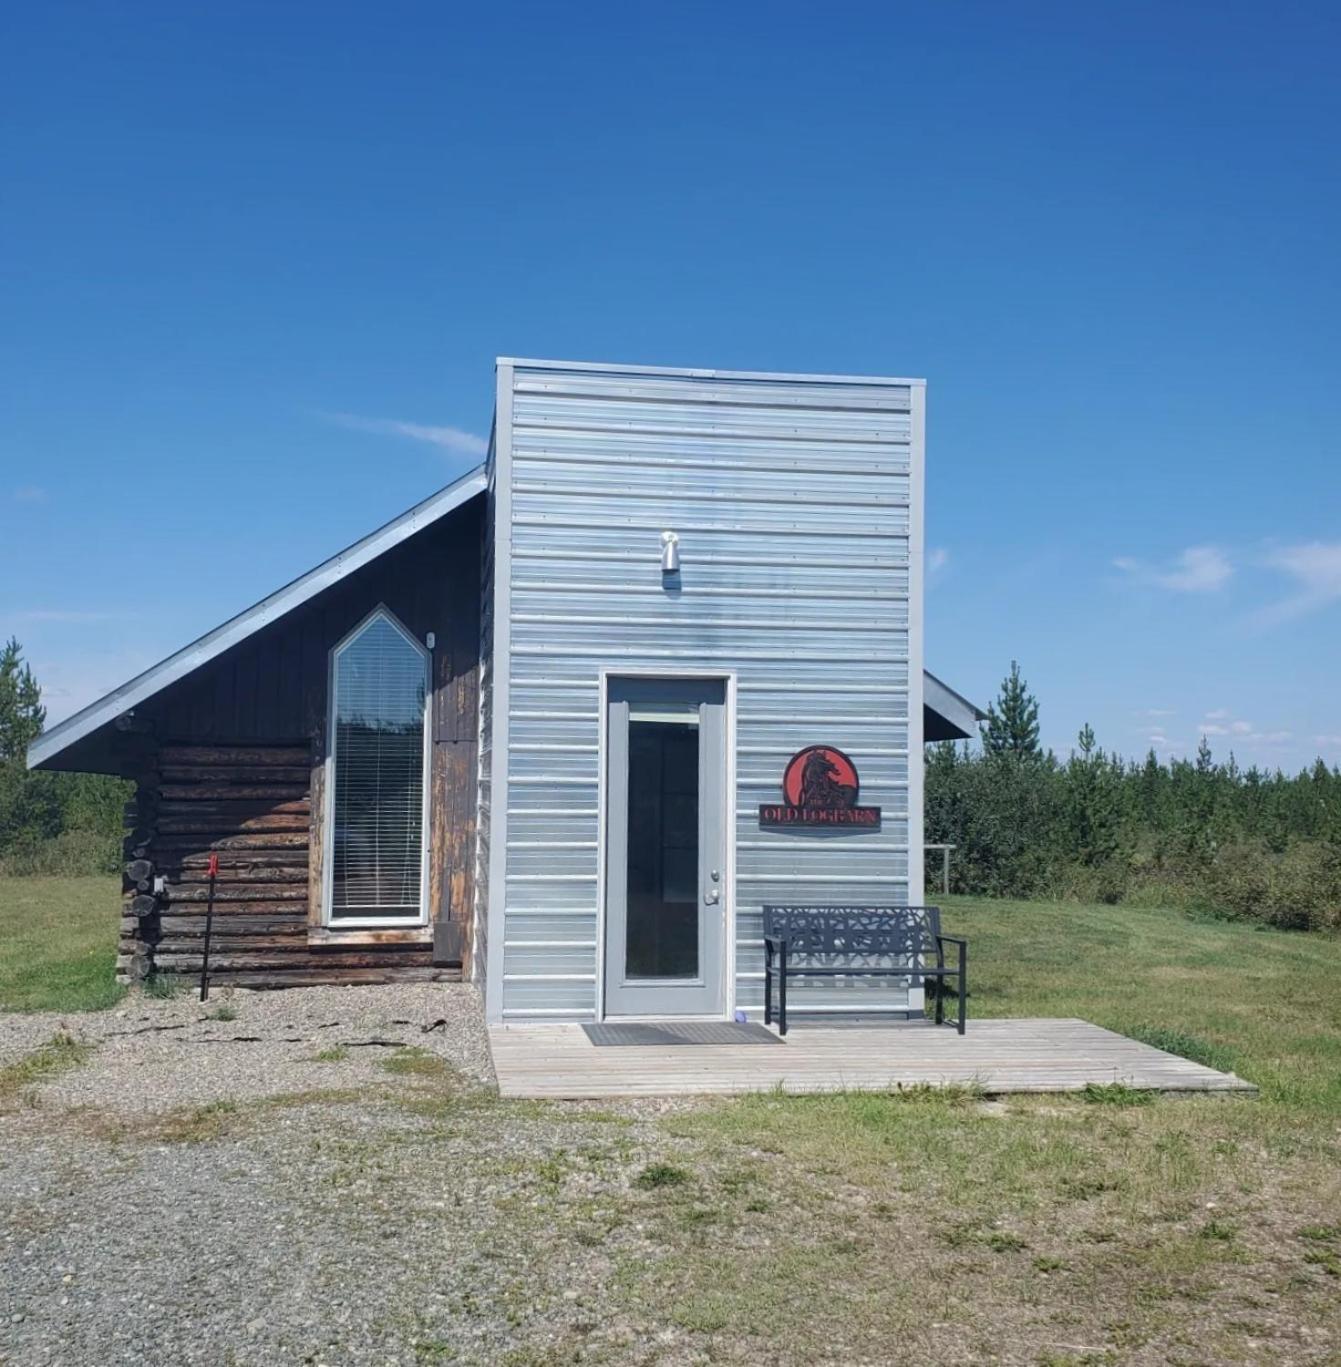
(844, 941)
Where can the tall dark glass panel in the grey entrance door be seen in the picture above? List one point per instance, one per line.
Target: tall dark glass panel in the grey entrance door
(664, 845)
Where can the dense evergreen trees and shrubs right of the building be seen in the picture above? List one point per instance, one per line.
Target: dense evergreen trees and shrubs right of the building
(1193, 833)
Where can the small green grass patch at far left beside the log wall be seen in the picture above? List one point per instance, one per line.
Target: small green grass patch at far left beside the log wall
(58, 944)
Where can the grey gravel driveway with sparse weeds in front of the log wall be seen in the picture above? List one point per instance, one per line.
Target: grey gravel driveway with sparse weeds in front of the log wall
(319, 1178)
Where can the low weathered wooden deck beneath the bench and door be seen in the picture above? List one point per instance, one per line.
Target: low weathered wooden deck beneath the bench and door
(1000, 1056)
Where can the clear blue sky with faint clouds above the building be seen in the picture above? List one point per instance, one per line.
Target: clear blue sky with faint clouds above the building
(256, 263)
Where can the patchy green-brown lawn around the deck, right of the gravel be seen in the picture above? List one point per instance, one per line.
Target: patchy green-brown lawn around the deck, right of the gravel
(1176, 1228)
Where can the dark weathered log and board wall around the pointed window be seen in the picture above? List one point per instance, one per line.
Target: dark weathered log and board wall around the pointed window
(233, 762)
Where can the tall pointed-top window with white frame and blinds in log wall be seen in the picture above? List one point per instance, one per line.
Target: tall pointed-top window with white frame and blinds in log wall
(378, 777)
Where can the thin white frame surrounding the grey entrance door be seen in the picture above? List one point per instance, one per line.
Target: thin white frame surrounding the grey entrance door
(729, 804)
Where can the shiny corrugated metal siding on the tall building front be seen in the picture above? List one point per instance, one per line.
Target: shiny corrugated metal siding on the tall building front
(794, 504)
